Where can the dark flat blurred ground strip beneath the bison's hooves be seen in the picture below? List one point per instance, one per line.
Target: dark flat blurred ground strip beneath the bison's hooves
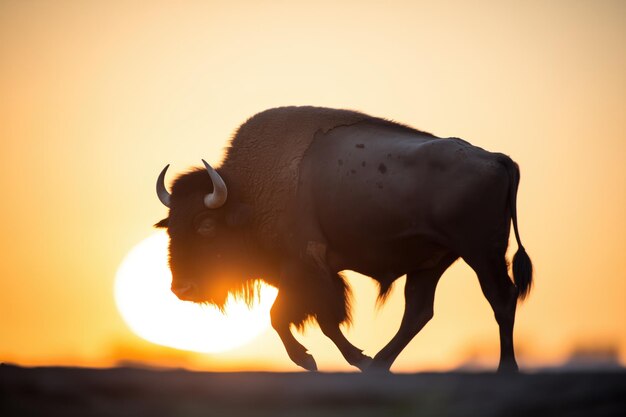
(136, 392)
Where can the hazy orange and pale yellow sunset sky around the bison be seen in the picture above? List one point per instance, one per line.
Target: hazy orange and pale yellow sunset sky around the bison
(95, 97)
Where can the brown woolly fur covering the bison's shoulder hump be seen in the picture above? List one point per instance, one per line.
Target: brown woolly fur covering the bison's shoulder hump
(264, 157)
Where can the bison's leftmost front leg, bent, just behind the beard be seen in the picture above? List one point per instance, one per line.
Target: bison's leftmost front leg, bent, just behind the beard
(282, 316)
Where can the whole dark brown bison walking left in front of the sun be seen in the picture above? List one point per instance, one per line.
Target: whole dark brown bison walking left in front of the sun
(307, 192)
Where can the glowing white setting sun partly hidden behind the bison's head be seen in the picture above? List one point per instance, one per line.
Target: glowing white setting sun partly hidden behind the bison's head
(152, 311)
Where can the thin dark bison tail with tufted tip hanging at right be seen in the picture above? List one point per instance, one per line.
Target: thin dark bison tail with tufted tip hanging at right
(522, 265)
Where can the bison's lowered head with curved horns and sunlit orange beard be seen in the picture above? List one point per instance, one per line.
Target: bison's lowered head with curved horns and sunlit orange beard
(210, 247)
